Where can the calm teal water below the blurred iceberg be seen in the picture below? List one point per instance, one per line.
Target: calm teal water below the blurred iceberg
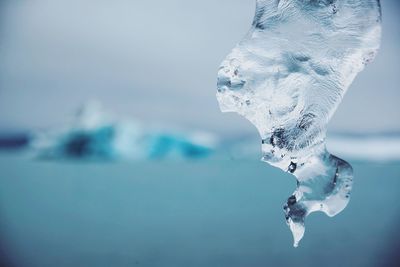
(213, 212)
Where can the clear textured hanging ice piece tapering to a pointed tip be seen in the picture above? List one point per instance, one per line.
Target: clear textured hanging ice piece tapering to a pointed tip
(287, 76)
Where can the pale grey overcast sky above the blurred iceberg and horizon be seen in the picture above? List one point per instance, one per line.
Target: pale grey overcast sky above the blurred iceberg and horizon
(155, 61)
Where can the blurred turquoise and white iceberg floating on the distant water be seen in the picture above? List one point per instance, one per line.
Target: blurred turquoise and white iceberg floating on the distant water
(95, 134)
